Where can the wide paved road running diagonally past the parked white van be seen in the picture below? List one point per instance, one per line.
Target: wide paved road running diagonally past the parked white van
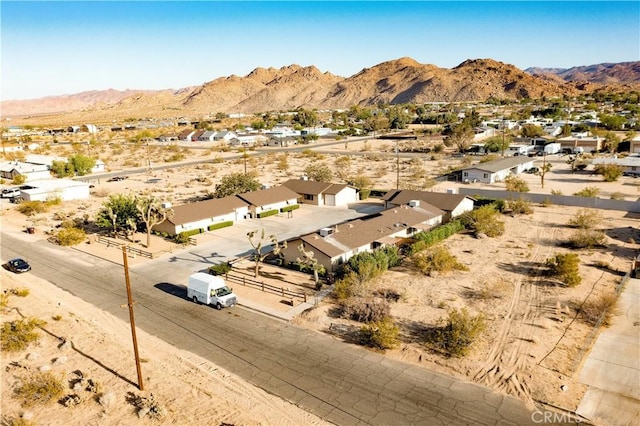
(342, 383)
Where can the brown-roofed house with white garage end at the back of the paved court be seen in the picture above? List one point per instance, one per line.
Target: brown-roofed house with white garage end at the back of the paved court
(322, 193)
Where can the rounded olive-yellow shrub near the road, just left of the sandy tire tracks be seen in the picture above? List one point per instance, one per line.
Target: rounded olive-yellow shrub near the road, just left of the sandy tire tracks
(458, 333)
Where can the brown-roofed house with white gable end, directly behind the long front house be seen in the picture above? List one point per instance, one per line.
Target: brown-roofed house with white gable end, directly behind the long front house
(452, 205)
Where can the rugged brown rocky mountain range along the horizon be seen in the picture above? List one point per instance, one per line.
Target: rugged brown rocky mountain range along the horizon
(402, 80)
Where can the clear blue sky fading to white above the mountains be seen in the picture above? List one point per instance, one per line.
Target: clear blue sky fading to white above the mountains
(55, 48)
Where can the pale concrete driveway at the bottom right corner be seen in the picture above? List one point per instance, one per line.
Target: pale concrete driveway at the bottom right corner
(612, 369)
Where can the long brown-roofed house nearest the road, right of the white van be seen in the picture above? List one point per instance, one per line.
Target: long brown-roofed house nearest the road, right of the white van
(333, 246)
